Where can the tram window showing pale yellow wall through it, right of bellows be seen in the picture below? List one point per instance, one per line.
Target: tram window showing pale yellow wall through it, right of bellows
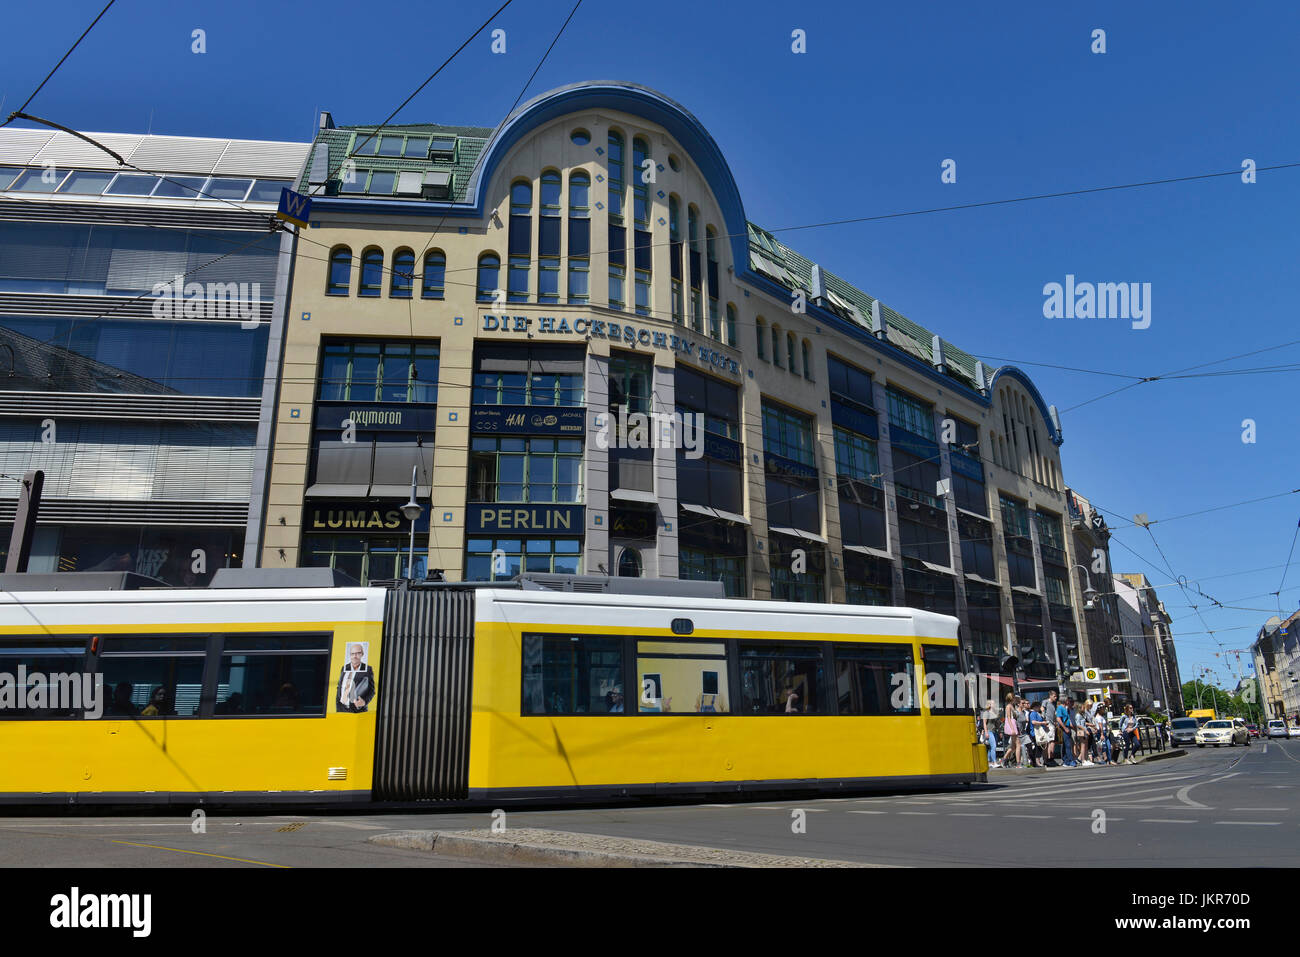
(682, 678)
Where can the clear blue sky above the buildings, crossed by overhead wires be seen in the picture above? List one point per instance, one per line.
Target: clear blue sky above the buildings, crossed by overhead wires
(856, 127)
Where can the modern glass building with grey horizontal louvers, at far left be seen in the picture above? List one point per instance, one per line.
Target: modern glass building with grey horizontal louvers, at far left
(141, 318)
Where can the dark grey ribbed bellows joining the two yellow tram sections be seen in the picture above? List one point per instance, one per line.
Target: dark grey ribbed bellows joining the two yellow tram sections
(422, 751)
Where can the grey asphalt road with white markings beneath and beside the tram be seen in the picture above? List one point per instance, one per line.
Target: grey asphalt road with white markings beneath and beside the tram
(1214, 808)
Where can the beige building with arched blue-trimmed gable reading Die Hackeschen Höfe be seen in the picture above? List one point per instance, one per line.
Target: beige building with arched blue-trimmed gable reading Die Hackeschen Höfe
(593, 362)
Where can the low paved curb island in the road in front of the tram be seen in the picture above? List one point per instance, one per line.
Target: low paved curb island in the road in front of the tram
(536, 847)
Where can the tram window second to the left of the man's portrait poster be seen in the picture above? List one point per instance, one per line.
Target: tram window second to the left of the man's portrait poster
(151, 686)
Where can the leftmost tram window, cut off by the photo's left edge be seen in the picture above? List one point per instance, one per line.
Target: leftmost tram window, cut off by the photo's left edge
(54, 683)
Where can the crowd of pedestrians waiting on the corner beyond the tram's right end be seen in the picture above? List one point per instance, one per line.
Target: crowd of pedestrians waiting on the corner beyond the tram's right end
(1069, 733)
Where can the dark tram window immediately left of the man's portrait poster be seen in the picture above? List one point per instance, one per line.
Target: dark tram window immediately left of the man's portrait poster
(274, 675)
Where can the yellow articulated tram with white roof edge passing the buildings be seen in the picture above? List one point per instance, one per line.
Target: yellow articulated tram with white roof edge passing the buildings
(266, 692)
